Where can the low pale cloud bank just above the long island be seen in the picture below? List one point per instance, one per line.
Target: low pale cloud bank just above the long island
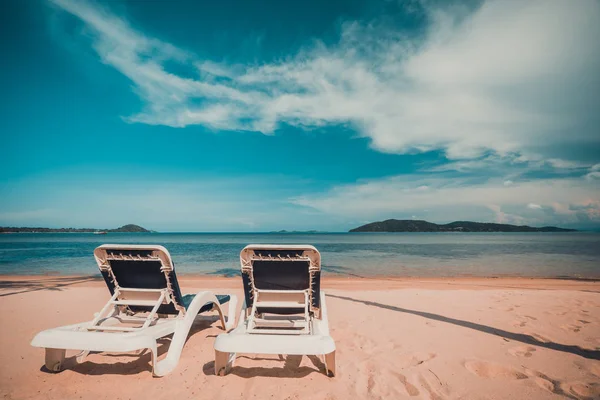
(564, 200)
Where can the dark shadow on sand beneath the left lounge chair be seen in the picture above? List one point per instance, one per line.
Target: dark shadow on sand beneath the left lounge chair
(141, 360)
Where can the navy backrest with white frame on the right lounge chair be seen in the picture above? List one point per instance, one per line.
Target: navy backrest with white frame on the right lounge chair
(281, 268)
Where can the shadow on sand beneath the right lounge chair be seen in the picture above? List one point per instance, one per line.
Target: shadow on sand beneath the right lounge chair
(290, 369)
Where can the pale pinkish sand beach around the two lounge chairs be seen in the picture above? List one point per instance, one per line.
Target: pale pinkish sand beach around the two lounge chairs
(396, 338)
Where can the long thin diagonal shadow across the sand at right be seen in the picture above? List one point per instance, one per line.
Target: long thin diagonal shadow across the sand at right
(518, 337)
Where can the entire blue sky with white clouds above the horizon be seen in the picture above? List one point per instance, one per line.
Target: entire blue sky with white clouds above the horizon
(259, 116)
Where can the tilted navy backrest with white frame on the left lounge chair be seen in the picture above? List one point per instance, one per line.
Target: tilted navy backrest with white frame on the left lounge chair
(140, 267)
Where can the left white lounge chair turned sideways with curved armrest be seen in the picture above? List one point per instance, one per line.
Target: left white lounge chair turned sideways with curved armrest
(146, 305)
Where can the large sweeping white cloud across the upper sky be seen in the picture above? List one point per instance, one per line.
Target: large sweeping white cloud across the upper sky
(505, 78)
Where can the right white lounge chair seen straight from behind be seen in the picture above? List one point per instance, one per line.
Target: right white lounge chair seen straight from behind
(284, 311)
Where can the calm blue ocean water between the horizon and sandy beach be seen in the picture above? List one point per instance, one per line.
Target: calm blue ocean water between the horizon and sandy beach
(343, 254)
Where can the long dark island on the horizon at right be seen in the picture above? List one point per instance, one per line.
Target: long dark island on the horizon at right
(409, 225)
